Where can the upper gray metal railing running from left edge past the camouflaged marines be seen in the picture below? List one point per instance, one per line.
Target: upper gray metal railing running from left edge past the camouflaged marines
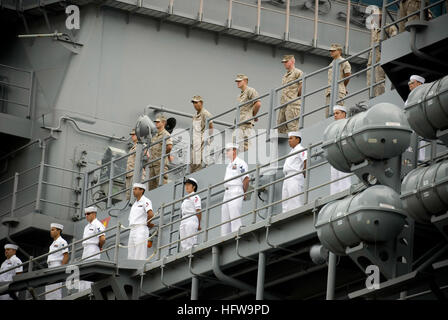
(89, 186)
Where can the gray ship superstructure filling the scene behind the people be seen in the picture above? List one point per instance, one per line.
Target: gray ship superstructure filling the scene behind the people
(69, 99)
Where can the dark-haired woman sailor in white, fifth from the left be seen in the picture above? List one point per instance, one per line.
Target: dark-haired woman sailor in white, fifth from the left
(191, 208)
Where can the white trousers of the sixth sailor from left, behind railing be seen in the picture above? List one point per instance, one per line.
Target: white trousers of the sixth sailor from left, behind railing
(231, 209)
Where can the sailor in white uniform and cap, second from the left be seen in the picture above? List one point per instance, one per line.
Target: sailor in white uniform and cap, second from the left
(56, 259)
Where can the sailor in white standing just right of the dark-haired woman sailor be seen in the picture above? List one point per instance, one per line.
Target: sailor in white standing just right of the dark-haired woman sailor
(235, 187)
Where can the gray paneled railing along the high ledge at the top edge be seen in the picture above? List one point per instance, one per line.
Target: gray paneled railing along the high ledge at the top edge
(289, 17)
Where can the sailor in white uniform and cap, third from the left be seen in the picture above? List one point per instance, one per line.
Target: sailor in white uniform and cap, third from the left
(92, 245)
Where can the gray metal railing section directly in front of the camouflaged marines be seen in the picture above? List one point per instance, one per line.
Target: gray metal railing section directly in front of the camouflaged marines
(234, 112)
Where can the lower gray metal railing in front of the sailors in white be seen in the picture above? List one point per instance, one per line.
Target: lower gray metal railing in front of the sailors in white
(163, 212)
